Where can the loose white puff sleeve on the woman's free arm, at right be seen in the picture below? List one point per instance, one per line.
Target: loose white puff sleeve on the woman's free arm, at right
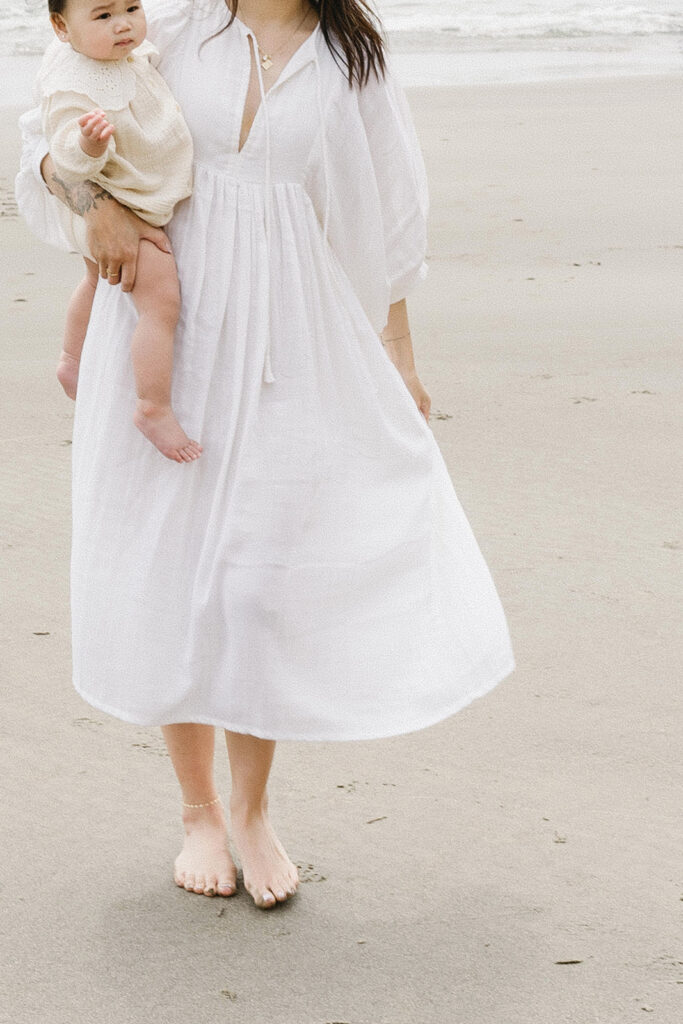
(367, 173)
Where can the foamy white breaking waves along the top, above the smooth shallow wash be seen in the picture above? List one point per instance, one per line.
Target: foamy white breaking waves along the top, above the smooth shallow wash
(24, 23)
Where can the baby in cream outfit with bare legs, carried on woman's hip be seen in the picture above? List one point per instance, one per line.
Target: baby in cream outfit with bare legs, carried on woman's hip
(110, 118)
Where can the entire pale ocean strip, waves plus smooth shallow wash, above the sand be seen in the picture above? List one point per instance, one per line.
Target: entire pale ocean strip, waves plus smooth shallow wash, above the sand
(452, 42)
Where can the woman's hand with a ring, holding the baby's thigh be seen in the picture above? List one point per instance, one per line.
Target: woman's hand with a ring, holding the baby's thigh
(114, 235)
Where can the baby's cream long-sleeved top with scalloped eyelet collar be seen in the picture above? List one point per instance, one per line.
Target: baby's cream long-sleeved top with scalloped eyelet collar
(148, 165)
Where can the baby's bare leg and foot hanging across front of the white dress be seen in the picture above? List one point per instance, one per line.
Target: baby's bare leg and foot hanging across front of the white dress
(157, 300)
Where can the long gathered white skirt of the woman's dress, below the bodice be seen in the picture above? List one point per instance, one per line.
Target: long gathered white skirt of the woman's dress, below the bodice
(313, 576)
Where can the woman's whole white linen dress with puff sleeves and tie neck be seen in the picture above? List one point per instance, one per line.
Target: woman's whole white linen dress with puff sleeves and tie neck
(313, 576)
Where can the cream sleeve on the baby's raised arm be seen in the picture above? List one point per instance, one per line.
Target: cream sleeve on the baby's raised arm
(62, 114)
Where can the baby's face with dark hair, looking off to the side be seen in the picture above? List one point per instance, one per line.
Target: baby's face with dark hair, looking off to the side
(105, 30)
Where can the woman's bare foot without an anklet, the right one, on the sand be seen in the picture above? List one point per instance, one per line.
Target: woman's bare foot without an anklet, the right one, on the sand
(270, 875)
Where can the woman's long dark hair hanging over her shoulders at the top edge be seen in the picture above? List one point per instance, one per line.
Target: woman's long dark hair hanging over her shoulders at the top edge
(352, 31)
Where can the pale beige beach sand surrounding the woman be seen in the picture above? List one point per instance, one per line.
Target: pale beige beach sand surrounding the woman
(520, 863)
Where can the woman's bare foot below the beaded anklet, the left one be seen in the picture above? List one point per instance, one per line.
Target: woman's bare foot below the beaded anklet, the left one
(204, 865)
